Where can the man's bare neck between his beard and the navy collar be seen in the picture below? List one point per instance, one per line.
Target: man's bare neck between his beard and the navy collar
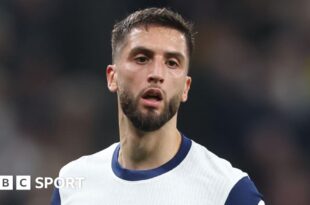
(147, 150)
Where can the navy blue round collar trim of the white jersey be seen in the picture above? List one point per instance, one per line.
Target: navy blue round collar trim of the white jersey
(136, 175)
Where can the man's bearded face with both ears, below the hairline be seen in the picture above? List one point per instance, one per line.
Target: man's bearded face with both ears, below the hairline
(150, 75)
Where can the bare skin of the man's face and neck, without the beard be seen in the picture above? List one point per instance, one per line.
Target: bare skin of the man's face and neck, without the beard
(154, 57)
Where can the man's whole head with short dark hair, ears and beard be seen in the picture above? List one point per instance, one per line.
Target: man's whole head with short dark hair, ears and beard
(151, 51)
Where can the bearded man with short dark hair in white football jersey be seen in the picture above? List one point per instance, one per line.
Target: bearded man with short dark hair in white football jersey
(153, 163)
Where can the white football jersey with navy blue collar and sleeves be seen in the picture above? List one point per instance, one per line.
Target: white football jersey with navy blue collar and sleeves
(194, 176)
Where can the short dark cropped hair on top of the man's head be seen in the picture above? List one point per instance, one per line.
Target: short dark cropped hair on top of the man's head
(152, 16)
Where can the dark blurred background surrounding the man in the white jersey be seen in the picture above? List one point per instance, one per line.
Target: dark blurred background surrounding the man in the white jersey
(249, 102)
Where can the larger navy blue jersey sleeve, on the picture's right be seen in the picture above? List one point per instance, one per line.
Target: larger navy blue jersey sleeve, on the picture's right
(244, 193)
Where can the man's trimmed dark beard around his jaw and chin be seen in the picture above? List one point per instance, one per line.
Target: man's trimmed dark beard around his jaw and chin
(151, 120)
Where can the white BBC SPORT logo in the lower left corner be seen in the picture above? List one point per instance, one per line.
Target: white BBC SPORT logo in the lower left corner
(23, 182)
